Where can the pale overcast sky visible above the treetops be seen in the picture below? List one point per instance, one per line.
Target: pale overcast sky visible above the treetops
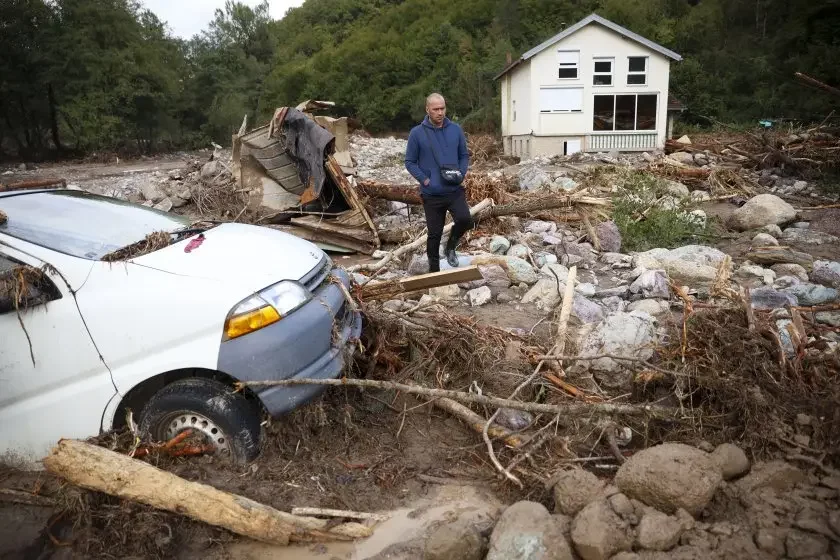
(188, 17)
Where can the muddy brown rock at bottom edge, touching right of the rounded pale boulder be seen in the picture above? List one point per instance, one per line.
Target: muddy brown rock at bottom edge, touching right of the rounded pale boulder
(598, 532)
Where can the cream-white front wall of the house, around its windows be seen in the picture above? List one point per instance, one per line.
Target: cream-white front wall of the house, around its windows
(594, 41)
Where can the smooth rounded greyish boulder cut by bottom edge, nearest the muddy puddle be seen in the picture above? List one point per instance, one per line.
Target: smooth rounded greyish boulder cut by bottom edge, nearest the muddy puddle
(526, 531)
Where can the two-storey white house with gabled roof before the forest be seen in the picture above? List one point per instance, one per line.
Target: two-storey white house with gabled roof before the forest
(595, 86)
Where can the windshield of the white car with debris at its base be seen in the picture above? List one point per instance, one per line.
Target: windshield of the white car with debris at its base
(82, 224)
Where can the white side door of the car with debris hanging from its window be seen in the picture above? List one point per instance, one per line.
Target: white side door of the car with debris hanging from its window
(53, 383)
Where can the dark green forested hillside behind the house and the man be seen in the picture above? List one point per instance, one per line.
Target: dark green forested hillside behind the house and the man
(84, 75)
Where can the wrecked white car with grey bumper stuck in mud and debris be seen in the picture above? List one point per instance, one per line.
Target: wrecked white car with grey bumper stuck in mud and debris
(160, 337)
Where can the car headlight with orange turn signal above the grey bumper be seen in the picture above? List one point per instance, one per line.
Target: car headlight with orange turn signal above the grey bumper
(267, 307)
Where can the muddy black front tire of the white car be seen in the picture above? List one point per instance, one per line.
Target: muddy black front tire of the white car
(225, 418)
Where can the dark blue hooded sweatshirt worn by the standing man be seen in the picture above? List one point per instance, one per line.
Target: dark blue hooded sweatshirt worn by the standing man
(450, 146)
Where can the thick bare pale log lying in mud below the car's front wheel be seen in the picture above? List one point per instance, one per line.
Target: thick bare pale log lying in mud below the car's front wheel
(100, 469)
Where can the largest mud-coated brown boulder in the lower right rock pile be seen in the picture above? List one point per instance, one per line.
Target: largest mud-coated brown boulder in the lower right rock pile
(669, 477)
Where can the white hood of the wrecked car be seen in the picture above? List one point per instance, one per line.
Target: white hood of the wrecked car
(252, 256)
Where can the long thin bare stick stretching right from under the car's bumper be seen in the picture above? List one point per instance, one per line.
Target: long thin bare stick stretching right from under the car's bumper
(575, 409)
